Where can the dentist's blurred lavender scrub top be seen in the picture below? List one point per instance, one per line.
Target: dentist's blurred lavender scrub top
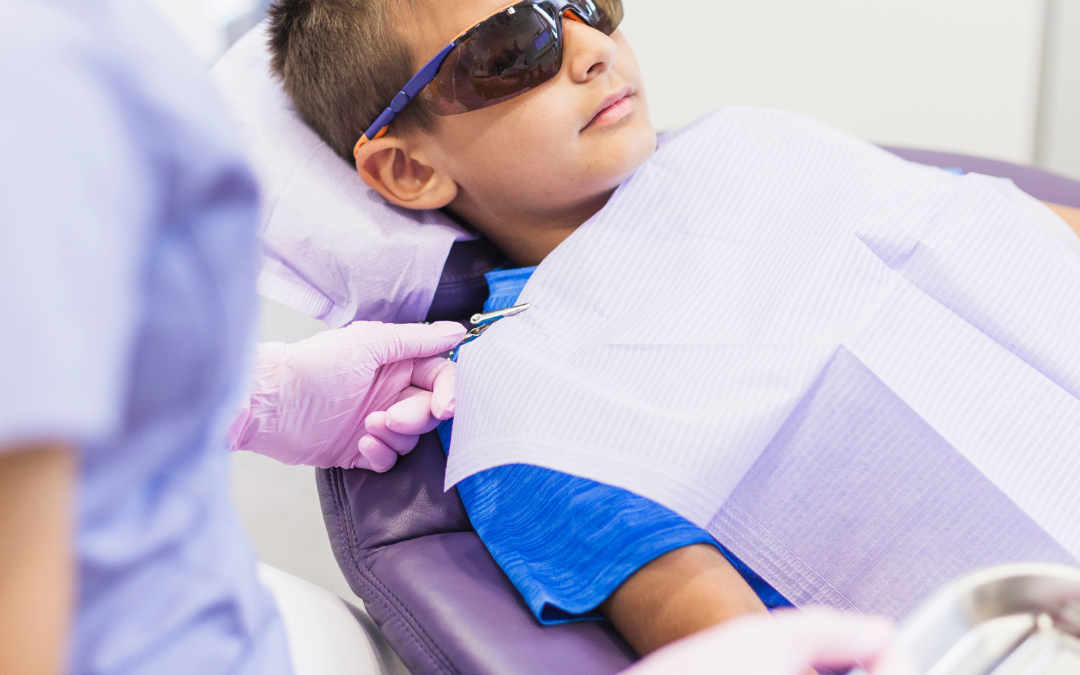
(128, 263)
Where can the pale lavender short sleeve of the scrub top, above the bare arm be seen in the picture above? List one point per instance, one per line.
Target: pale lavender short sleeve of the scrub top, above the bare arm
(74, 196)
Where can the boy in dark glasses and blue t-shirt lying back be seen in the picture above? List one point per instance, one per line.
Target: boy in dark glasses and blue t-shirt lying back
(534, 119)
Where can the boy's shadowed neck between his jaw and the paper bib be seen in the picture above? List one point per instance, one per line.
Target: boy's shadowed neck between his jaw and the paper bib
(526, 238)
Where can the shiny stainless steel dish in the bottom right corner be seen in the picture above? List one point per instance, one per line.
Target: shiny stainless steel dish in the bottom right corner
(1012, 620)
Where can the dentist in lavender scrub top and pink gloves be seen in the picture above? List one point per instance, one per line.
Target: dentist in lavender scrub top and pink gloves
(128, 263)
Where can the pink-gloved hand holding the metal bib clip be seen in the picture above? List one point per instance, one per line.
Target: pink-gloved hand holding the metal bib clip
(355, 398)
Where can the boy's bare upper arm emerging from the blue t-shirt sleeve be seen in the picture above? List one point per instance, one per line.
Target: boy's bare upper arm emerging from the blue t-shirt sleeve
(679, 595)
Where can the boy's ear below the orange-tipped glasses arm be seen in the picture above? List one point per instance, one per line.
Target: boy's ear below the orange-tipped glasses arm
(402, 174)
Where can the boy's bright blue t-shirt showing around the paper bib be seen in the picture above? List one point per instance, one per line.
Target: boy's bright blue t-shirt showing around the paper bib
(566, 543)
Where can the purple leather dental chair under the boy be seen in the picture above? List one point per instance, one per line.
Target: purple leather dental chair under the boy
(409, 550)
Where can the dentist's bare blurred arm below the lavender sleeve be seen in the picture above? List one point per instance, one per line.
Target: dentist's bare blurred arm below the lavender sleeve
(37, 573)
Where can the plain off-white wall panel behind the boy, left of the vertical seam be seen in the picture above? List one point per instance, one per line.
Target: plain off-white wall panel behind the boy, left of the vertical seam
(951, 75)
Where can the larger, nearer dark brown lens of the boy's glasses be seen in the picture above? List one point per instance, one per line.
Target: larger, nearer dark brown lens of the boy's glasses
(509, 55)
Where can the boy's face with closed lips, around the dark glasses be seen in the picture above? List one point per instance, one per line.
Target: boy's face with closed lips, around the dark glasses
(559, 150)
